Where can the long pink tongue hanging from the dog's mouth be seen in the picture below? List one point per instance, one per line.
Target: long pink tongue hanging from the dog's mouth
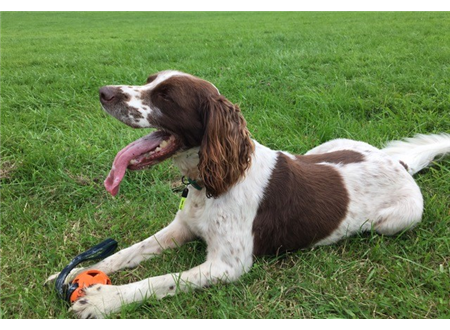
(123, 158)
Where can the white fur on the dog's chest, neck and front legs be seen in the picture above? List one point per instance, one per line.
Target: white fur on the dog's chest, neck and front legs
(224, 223)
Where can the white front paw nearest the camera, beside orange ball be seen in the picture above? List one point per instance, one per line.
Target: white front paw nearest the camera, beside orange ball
(99, 301)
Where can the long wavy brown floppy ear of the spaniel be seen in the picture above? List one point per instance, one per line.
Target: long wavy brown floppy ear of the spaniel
(226, 148)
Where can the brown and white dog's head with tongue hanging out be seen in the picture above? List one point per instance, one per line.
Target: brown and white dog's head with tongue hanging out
(187, 112)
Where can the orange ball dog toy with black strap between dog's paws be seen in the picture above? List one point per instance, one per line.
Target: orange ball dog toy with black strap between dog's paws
(74, 290)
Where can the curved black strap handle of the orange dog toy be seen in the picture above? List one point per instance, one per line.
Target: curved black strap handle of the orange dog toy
(100, 251)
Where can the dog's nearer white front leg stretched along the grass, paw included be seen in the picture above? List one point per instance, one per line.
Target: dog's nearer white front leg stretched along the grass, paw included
(102, 300)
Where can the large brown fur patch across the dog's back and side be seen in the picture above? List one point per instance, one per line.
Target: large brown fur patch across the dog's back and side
(304, 202)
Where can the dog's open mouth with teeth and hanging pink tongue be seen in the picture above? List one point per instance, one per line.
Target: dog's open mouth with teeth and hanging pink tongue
(143, 153)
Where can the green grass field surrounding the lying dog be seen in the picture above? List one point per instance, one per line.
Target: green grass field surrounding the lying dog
(301, 78)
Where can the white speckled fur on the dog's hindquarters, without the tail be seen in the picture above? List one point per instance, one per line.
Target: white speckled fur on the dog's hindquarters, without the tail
(383, 196)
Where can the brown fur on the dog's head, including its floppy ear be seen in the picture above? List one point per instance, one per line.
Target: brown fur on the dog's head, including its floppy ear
(194, 111)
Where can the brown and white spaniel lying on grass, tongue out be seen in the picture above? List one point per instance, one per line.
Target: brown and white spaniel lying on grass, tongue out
(242, 198)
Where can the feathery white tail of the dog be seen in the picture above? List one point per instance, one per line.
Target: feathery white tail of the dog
(419, 152)
